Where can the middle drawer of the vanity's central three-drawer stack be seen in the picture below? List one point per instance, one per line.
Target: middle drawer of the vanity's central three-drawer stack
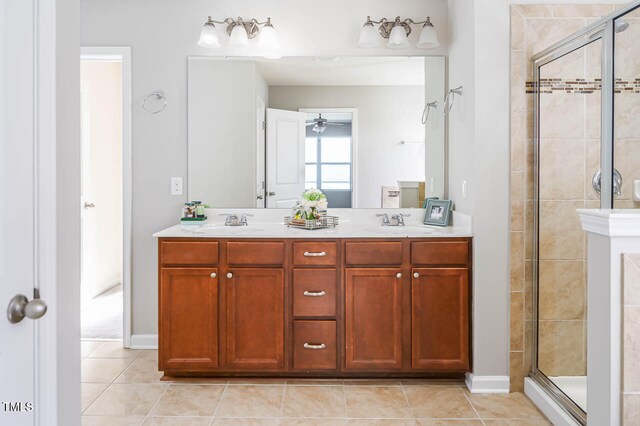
(314, 292)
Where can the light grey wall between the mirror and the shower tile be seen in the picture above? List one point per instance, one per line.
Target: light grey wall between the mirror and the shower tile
(479, 153)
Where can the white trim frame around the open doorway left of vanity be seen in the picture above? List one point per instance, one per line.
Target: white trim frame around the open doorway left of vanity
(123, 54)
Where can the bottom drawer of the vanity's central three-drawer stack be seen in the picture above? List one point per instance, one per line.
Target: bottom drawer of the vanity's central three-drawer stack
(314, 345)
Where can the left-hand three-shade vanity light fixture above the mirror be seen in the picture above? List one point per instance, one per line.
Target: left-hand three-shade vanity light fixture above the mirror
(240, 31)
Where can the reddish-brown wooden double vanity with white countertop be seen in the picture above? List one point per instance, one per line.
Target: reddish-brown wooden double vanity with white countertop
(266, 300)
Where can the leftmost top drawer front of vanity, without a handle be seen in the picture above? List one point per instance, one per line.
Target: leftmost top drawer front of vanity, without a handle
(189, 252)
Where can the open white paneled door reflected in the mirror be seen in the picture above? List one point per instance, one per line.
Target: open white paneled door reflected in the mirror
(285, 157)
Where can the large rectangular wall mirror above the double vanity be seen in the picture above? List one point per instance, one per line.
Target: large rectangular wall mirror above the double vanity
(261, 131)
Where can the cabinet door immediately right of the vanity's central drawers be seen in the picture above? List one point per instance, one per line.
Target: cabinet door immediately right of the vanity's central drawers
(373, 319)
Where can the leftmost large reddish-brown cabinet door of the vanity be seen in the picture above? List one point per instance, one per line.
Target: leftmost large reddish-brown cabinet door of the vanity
(188, 306)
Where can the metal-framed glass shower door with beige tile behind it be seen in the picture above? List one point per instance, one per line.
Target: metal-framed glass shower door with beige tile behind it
(568, 146)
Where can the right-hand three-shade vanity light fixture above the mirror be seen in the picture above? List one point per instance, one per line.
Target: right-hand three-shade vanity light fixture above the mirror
(397, 32)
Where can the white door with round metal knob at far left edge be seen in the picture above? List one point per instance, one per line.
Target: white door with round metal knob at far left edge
(22, 170)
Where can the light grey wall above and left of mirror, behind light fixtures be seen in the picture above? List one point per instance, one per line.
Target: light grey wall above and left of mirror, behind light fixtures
(162, 35)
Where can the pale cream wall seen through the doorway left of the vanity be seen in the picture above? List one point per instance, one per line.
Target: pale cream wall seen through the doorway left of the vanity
(102, 179)
